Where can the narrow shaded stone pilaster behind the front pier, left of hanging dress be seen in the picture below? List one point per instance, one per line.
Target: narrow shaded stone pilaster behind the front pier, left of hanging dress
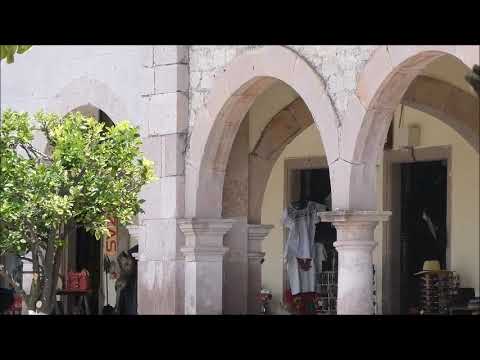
(256, 234)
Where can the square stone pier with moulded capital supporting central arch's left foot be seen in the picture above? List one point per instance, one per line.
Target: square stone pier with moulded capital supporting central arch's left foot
(204, 253)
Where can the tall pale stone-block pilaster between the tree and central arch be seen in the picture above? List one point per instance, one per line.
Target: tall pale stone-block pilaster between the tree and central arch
(163, 105)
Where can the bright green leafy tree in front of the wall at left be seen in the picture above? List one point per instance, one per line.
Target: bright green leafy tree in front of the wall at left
(91, 173)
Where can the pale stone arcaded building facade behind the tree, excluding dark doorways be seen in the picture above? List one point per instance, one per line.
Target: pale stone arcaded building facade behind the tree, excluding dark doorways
(224, 124)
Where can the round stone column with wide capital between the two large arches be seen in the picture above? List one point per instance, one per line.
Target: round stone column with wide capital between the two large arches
(355, 243)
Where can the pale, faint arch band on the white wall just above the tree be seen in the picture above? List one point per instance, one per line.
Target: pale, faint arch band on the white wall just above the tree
(88, 92)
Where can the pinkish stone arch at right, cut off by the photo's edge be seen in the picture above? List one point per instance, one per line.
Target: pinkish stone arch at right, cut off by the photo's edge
(382, 86)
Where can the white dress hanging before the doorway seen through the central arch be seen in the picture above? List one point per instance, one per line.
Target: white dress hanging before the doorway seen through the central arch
(300, 245)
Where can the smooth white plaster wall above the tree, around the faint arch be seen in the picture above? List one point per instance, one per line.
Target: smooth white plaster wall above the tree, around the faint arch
(34, 80)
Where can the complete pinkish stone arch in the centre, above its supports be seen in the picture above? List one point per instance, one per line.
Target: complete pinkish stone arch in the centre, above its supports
(234, 91)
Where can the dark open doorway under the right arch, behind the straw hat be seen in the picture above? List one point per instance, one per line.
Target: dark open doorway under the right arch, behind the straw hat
(423, 225)
